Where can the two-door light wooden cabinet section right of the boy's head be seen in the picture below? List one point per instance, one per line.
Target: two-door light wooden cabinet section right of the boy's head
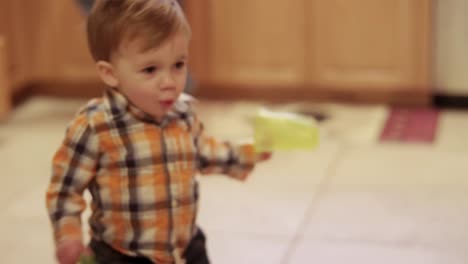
(358, 50)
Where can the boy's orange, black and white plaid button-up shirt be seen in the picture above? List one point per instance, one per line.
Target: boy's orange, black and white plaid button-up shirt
(140, 173)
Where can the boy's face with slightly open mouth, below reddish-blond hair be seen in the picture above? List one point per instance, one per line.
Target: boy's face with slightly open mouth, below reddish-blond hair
(152, 80)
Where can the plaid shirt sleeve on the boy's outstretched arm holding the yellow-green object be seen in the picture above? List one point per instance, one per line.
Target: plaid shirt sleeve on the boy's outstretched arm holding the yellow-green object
(234, 160)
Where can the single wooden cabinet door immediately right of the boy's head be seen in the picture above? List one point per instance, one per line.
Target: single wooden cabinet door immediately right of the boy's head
(249, 42)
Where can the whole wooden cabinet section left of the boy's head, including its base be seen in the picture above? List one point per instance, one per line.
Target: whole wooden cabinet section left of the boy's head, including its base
(46, 47)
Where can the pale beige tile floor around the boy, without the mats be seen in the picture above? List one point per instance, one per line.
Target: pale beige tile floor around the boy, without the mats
(352, 200)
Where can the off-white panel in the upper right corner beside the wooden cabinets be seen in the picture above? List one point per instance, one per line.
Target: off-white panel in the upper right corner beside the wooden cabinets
(451, 47)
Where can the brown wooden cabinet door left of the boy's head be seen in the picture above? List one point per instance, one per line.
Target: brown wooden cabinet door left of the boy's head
(62, 53)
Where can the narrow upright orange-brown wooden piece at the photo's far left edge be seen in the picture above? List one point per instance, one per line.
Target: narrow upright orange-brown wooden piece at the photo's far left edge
(5, 81)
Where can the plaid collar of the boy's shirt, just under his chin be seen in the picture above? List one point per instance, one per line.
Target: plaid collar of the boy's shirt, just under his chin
(119, 106)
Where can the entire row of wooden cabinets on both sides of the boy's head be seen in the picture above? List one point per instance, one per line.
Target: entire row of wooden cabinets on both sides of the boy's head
(371, 50)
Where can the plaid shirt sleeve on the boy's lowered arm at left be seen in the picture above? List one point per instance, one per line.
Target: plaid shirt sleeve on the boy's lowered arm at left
(73, 167)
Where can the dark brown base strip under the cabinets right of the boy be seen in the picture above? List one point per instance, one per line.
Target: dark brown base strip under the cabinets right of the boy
(225, 91)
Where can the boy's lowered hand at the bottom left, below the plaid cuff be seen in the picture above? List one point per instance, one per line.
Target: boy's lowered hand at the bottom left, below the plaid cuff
(69, 251)
